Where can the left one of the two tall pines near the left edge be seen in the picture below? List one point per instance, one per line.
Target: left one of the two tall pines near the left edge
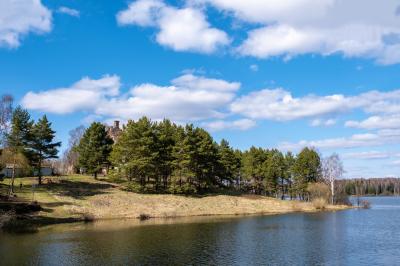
(18, 138)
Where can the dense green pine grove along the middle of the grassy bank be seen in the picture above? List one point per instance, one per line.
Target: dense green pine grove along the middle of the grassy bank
(164, 157)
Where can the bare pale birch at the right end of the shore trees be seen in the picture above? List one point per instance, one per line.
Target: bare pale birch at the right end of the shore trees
(332, 169)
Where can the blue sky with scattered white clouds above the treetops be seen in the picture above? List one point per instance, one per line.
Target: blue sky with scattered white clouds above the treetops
(266, 73)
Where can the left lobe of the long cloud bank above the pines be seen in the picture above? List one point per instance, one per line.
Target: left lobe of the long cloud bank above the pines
(85, 94)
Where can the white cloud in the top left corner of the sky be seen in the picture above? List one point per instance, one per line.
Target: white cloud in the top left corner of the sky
(20, 17)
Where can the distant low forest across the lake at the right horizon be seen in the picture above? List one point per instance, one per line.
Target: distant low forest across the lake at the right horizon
(371, 186)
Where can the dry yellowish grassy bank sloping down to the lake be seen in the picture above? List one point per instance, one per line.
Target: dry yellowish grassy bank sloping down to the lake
(81, 198)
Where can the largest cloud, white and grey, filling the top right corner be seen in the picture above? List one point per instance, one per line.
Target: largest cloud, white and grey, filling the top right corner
(353, 28)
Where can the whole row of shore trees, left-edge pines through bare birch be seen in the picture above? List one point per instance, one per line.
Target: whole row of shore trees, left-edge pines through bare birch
(163, 157)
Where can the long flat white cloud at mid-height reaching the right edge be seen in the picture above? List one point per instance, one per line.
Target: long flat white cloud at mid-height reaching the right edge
(280, 105)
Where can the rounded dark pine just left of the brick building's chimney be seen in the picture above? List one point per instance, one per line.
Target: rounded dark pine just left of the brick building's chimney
(94, 149)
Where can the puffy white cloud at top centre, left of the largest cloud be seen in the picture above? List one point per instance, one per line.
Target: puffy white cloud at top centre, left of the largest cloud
(184, 29)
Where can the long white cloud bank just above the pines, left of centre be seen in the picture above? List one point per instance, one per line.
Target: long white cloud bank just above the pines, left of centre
(188, 98)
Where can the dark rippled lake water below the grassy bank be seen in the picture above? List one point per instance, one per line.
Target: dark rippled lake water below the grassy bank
(351, 237)
